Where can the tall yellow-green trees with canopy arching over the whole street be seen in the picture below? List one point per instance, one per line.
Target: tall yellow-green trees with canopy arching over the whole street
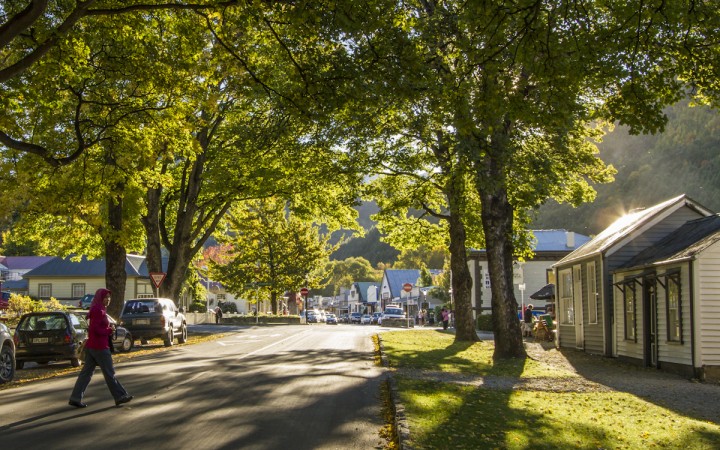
(131, 125)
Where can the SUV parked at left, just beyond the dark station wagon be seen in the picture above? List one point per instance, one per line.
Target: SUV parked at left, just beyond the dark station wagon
(149, 318)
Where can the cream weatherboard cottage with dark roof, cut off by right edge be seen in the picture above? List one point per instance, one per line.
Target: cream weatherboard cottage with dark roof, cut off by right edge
(667, 308)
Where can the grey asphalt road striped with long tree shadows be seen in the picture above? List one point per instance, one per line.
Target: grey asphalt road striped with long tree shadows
(283, 387)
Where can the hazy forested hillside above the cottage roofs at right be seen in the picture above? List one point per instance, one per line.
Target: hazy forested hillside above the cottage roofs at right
(685, 159)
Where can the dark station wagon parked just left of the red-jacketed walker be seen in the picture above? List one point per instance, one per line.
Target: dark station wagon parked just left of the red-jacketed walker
(50, 336)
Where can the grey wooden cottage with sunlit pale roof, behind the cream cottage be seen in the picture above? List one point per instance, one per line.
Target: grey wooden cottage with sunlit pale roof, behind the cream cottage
(586, 303)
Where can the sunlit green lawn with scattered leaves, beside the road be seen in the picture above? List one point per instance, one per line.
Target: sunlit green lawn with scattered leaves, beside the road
(450, 416)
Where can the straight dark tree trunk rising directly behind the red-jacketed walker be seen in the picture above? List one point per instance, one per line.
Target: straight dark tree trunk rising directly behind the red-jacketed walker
(115, 257)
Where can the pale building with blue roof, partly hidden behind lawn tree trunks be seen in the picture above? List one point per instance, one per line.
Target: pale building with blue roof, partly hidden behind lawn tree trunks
(532, 274)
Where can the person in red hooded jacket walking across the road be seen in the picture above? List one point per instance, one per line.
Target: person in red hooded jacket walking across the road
(97, 353)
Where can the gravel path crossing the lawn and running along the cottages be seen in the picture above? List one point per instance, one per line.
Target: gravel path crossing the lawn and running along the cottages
(600, 374)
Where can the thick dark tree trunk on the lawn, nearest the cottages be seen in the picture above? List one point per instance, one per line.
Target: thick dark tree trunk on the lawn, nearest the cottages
(497, 220)
